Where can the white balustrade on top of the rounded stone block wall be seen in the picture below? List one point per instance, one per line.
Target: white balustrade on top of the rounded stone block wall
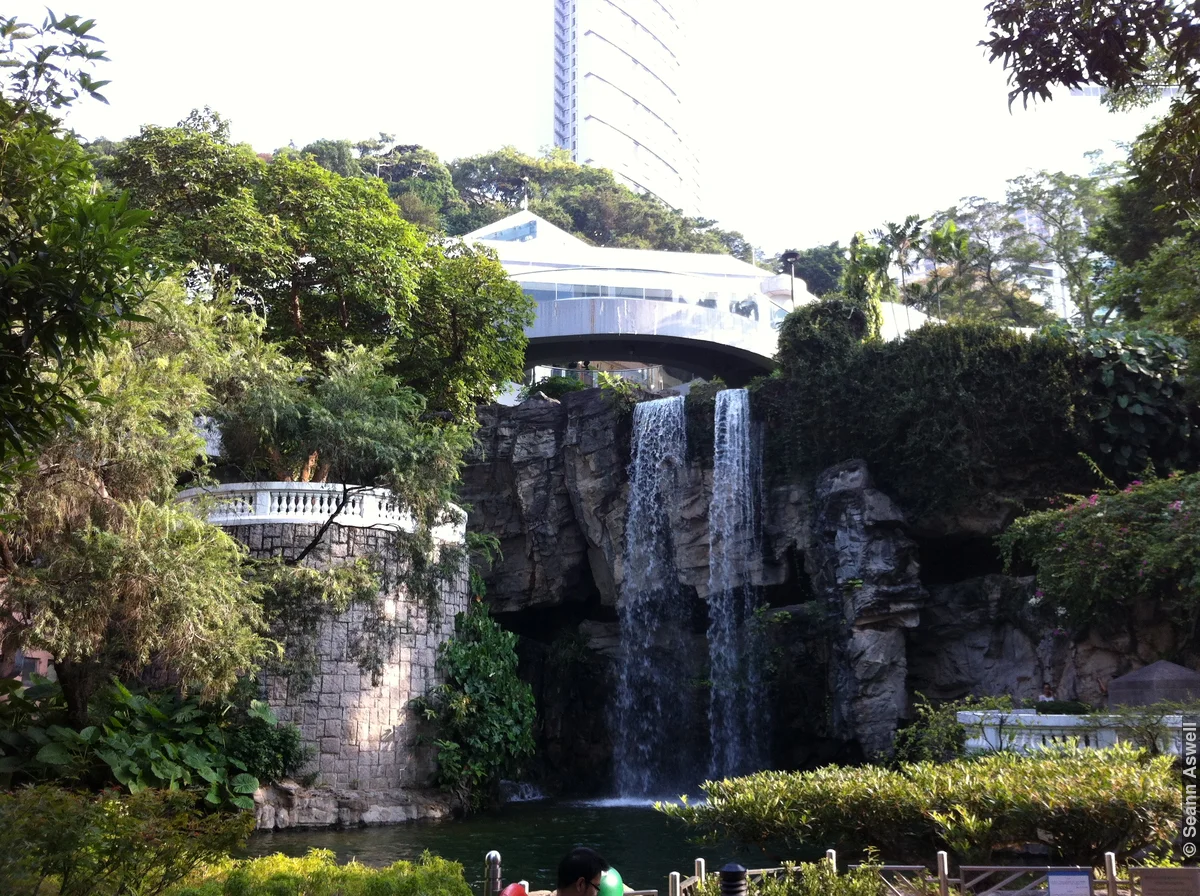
(257, 503)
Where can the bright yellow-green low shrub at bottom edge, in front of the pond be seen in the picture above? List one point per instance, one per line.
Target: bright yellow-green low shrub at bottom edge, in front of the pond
(319, 875)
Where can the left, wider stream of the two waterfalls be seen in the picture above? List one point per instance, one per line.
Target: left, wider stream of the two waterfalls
(653, 614)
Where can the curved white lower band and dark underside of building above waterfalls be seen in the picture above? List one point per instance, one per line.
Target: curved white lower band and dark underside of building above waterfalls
(706, 341)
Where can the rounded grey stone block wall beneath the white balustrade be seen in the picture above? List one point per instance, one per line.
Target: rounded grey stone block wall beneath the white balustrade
(365, 737)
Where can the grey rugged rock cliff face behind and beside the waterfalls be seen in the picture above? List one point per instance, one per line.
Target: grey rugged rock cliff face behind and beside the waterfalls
(853, 633)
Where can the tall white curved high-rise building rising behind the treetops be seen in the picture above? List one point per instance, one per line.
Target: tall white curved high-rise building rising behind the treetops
(621, 93)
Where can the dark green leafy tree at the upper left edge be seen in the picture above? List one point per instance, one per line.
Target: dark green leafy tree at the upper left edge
(69, 268)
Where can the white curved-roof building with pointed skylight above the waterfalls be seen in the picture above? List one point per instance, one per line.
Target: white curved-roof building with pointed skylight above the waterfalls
(712, 315)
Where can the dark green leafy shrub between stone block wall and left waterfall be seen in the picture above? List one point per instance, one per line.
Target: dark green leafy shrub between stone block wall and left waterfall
(484, 713)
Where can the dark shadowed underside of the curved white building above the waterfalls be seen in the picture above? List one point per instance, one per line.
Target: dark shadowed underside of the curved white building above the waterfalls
(704, 359)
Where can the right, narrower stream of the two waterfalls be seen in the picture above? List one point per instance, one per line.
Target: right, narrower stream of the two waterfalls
(737, 714)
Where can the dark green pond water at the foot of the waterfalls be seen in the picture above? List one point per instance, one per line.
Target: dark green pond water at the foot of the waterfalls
(532, 838)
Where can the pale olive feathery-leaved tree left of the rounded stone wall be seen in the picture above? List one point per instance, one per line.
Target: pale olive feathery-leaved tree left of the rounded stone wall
(99, 567)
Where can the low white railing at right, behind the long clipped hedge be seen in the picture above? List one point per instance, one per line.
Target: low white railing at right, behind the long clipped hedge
(1024, 731)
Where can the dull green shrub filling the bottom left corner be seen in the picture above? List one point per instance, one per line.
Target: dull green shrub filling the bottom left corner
(83, 845)
